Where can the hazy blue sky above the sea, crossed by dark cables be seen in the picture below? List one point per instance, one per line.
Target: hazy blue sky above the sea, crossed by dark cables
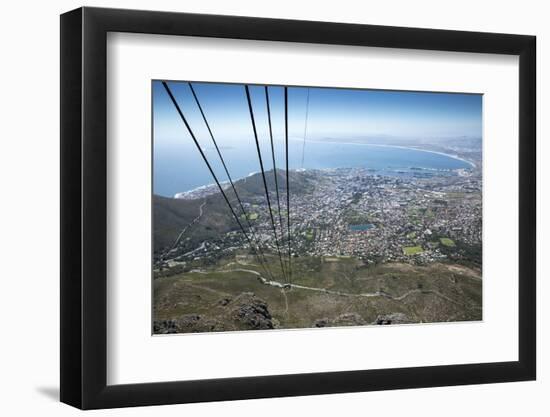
(333, 113)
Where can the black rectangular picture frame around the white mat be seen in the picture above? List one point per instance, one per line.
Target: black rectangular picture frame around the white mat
(84, 207)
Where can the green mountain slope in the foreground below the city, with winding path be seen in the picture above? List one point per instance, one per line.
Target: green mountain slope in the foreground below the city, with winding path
(426, 291)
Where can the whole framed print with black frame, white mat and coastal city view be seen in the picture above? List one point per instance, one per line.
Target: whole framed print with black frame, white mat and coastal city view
(258, 208)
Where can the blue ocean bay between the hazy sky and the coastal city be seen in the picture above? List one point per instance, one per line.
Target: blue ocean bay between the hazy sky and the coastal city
(180, 167)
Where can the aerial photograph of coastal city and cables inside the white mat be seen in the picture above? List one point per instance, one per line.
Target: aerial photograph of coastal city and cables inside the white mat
(288, 207)
